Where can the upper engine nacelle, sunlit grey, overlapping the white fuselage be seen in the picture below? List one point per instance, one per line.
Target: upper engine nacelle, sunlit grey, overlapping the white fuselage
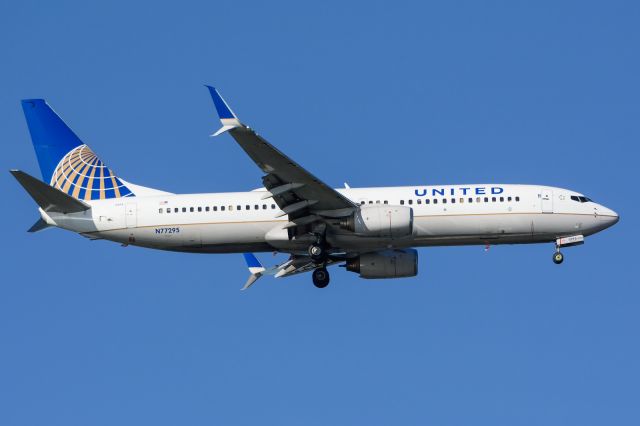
(380, 221)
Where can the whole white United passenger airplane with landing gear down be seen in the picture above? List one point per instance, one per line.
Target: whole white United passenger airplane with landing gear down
(373, 232)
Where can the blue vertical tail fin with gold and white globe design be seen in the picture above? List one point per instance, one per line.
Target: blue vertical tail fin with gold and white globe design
(65, 161)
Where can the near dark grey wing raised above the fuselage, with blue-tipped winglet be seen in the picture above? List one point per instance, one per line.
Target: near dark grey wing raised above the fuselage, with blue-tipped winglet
(300, 195)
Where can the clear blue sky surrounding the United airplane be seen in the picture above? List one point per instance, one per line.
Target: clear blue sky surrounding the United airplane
(365, 92)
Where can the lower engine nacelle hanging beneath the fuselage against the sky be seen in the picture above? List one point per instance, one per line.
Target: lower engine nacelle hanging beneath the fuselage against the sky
(385, 264)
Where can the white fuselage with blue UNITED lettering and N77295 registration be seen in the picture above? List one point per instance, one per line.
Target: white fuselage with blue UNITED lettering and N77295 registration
(244, 221)
